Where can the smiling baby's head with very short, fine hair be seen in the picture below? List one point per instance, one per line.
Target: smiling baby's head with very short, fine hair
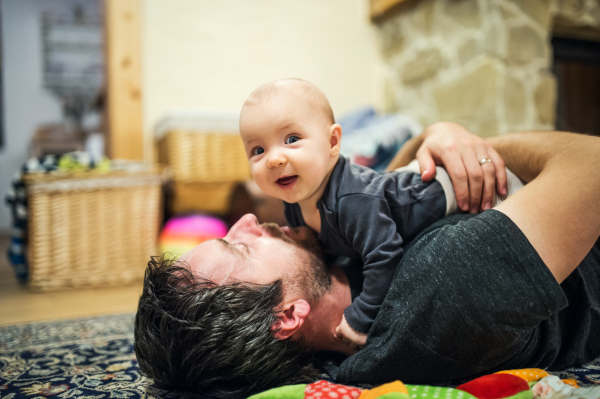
(291, 139)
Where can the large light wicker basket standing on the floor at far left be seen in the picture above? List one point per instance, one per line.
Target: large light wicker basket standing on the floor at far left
(91, 229)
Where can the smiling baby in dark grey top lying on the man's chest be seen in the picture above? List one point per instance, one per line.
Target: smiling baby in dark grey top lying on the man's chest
(293, 148)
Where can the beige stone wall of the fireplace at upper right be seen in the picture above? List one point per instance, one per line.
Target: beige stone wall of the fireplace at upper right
(483, 63)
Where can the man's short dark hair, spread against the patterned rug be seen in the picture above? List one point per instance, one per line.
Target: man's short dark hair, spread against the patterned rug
(193, 335)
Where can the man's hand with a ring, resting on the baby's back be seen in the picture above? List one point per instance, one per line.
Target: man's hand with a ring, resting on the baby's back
(460, 151)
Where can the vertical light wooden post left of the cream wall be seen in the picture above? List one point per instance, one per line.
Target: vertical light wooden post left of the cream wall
(124, 79)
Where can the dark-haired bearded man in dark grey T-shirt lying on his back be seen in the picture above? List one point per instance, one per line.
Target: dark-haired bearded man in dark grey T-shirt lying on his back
(513, 287)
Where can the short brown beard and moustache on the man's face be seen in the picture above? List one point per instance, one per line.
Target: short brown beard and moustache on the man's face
(313, 276)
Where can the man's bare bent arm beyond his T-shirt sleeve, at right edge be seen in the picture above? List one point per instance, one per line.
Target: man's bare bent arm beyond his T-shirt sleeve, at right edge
(559, 210)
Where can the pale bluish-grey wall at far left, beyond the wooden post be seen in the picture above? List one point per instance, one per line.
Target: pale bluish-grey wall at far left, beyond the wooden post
(26, 103)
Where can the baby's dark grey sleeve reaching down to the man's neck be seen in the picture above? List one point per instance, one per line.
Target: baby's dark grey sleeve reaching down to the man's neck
(366, 223)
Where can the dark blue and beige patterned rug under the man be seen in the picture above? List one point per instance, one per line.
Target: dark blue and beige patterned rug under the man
(94, 358)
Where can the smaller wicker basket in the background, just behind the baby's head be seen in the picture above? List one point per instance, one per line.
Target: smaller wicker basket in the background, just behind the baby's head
(196, 156)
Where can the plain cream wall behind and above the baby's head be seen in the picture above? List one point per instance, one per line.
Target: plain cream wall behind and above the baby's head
(212, 54)
